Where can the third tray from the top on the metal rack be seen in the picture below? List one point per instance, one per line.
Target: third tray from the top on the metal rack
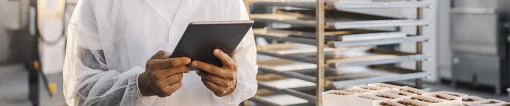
(369, 39)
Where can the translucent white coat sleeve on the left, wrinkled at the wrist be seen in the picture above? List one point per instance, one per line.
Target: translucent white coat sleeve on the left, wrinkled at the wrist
(87, 78)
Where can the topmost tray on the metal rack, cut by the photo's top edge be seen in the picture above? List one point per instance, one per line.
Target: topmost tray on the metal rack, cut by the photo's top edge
(340, 4)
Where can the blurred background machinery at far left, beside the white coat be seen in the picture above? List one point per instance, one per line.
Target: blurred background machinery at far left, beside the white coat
(32, 36)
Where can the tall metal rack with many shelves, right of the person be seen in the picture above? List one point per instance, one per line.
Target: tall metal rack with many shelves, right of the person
(321, 24)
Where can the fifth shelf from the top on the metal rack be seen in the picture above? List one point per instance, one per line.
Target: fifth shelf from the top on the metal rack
(373, 74)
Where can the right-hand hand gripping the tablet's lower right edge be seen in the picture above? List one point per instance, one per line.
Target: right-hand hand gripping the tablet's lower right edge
(220, 80)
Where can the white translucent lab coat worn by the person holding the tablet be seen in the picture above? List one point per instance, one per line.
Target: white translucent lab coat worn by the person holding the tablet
(109, 42)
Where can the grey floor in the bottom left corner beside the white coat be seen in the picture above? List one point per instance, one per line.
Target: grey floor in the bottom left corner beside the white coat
(14, 88)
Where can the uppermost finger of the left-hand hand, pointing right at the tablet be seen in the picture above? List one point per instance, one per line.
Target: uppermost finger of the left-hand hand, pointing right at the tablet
(169, 62)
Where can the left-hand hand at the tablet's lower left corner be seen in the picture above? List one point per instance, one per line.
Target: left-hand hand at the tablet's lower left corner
(162, 75)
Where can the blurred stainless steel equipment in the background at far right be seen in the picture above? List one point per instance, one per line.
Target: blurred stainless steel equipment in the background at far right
(479, 46)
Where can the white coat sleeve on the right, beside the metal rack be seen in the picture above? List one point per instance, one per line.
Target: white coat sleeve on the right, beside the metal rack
(247, 67)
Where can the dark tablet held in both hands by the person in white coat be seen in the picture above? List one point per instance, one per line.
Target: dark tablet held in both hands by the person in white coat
(201, 38)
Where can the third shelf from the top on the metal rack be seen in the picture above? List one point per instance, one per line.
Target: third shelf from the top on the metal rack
(289, 36)
